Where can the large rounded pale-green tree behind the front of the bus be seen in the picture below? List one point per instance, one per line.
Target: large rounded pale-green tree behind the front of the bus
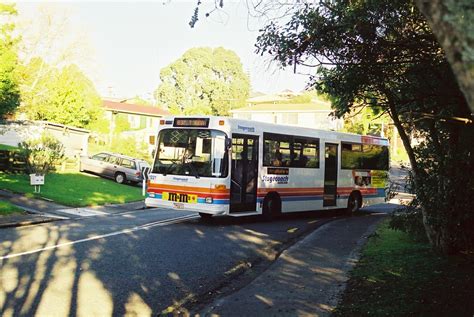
(204, 81)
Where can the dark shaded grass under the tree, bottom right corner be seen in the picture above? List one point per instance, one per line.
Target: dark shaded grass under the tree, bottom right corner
(399, 277)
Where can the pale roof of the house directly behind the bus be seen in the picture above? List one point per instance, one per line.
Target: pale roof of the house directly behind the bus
(286, 107)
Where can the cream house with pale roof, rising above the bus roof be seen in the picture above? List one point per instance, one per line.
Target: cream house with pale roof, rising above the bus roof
(311, 115)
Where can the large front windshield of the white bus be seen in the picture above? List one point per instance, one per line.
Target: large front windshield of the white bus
(191, 152)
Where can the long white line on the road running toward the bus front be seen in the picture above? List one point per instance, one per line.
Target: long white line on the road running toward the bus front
(160, 223)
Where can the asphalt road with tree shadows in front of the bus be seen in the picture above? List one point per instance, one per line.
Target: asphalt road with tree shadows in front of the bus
(138, 263)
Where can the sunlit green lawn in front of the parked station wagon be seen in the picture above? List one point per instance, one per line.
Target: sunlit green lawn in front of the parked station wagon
(73, 189)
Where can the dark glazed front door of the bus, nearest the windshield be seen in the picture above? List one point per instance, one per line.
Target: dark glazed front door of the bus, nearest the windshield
(244, 173)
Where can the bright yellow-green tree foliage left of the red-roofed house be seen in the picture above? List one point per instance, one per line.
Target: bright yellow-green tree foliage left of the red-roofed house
(63, 95)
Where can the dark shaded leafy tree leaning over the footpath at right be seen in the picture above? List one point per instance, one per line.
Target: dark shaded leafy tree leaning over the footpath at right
(382, 54)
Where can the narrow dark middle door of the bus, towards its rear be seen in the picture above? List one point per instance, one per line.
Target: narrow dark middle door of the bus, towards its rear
(330, 174)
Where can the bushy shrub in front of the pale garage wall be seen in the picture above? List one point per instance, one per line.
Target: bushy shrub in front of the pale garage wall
(42, 154)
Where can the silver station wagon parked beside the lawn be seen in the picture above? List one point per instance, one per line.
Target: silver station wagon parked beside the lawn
(119, 167)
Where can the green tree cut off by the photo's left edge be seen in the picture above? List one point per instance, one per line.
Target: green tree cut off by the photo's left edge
(9, 94)
